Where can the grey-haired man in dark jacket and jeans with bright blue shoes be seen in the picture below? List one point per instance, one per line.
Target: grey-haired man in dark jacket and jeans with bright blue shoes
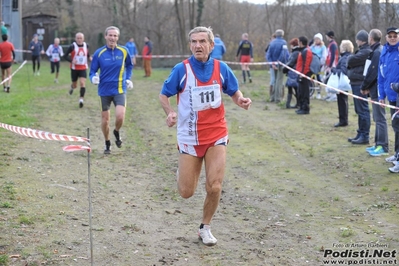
(369, 87)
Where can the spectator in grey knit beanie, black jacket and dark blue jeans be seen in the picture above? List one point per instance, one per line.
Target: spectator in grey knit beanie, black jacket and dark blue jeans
(355, 65)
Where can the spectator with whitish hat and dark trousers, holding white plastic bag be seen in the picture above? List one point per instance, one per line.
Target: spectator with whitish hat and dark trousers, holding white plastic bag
(346, 49)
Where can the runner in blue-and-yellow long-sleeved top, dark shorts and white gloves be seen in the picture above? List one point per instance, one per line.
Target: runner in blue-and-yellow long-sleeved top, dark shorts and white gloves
(115, 65)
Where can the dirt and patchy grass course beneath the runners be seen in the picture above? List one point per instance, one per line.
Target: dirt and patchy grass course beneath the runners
(293, 187)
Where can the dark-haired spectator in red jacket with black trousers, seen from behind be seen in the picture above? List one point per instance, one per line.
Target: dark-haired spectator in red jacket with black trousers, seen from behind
(303, 66)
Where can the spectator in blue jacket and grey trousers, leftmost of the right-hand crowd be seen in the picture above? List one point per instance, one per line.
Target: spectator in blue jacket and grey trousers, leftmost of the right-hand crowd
(278, 51)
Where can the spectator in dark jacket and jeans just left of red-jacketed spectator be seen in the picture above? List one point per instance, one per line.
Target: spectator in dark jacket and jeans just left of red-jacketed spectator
(292, 77)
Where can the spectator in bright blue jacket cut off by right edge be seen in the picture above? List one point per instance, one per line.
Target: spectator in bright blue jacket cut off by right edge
(388, 74)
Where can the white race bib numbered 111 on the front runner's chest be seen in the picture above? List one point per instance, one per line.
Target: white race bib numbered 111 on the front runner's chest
(206, 97)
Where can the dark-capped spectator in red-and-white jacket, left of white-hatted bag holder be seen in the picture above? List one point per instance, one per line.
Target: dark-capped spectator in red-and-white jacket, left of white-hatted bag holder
(331, 61)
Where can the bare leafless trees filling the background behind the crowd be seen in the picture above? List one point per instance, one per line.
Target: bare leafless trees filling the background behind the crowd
(167, 22)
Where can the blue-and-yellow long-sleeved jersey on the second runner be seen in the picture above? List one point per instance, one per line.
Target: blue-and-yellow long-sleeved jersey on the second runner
(115, 67)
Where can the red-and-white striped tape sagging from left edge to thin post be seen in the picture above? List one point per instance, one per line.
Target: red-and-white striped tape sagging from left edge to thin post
(38, 134)
